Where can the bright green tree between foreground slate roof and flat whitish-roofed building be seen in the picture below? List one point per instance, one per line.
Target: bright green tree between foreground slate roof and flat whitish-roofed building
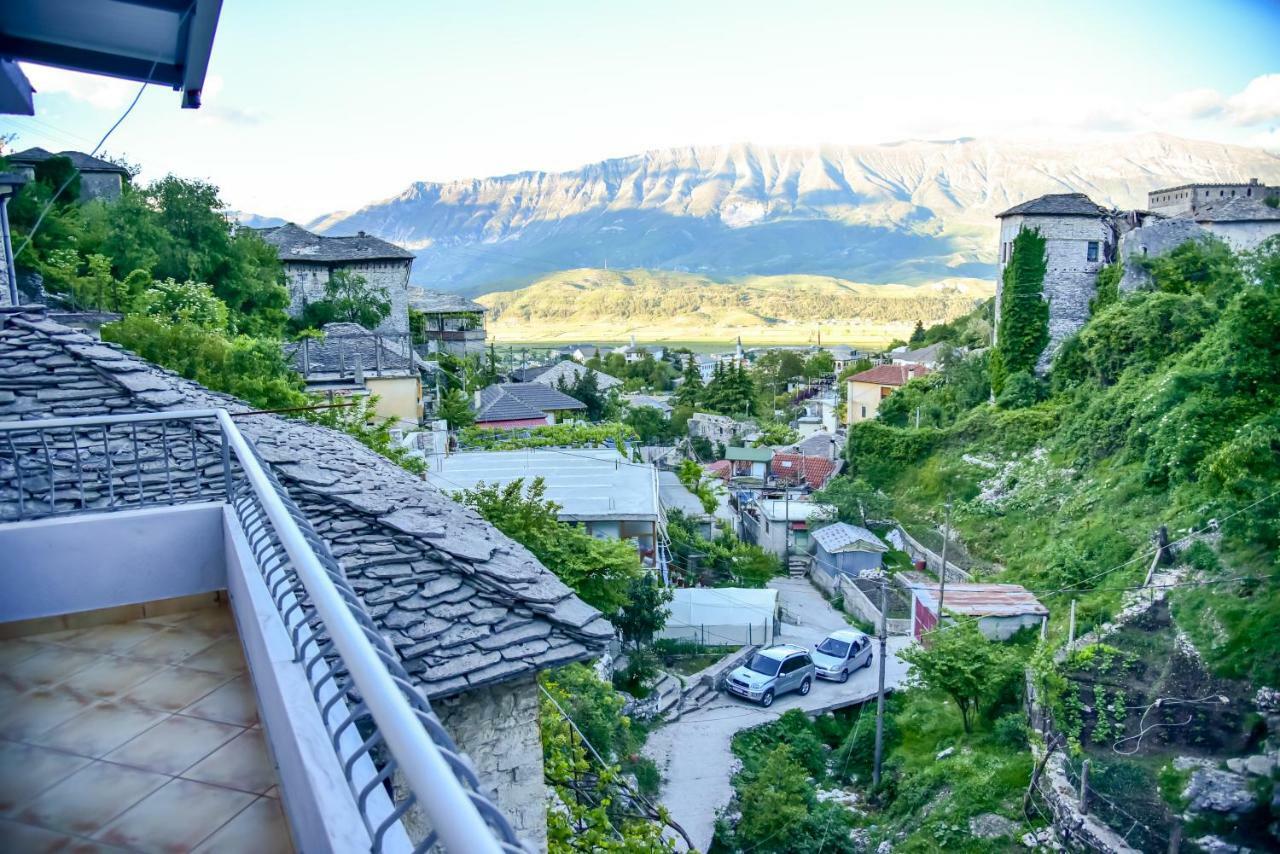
(600, 570)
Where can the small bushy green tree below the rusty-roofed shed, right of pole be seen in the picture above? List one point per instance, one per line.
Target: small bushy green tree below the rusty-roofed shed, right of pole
(959, 661)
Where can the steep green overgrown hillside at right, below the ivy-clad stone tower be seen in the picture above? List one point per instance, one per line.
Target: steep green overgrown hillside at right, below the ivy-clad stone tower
(1162, 413)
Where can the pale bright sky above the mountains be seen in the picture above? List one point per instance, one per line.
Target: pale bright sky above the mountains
(322, 106)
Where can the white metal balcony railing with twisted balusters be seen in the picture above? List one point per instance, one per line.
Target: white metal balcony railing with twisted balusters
(61, 467)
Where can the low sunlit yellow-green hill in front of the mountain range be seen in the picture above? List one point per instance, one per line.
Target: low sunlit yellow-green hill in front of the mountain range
(652, 305)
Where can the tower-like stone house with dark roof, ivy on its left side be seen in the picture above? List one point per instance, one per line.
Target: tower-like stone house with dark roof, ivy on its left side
(1080, 241)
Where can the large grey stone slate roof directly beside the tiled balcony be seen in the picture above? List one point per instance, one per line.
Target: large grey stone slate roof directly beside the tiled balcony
(464, 605)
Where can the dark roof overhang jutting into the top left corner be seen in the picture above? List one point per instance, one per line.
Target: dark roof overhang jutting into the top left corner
(157, 42)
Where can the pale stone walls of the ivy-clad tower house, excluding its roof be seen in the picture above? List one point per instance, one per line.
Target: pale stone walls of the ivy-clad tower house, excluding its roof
(1071, 278)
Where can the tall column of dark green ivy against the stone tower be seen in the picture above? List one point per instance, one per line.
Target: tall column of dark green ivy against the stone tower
(1023, 331)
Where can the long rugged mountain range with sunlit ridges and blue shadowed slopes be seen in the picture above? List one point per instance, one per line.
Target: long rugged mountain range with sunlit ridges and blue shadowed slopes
(912, 212)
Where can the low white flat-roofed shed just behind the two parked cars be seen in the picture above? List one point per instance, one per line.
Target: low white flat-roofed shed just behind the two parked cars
(723, 616)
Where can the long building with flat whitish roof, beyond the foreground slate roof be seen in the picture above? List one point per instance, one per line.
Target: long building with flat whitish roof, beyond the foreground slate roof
(598, 488)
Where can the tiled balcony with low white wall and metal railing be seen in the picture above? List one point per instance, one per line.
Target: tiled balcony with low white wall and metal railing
(186, 666)
